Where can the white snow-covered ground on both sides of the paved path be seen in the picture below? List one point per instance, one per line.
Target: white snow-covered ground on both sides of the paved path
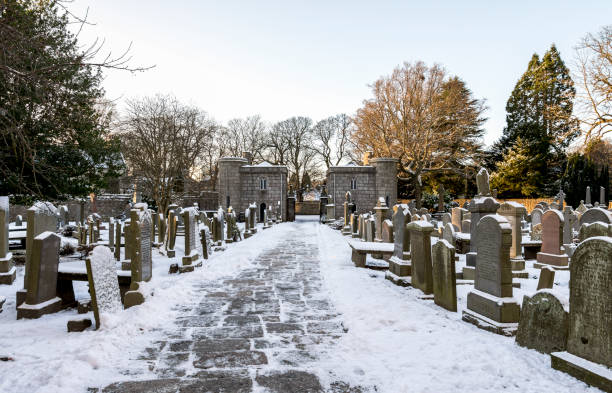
(395, 341)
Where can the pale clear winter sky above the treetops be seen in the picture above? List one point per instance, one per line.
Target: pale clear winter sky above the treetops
(316, 58)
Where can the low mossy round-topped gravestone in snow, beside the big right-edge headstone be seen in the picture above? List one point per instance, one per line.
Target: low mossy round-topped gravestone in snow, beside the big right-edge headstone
(543, 323)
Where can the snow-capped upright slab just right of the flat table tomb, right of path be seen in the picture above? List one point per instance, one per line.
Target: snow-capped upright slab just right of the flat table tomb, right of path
(420, 251)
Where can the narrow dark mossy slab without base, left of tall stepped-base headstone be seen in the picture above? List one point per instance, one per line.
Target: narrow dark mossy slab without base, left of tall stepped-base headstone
(444, 277)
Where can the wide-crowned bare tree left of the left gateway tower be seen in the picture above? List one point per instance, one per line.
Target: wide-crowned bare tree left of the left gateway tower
(163, 141)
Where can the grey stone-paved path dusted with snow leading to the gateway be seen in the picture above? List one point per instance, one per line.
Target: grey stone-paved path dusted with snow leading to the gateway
(262, 330)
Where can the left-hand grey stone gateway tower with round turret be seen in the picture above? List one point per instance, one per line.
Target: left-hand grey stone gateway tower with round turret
(240, 183)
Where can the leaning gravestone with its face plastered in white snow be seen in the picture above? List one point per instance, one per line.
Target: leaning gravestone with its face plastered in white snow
(103, 283)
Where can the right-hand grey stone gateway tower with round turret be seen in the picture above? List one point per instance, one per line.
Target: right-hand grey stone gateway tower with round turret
(376, 178)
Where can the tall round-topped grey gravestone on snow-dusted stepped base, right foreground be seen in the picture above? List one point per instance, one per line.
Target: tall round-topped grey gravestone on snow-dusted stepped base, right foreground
(491, 305)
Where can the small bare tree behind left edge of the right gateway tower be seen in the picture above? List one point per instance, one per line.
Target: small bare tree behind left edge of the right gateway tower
(331, 139)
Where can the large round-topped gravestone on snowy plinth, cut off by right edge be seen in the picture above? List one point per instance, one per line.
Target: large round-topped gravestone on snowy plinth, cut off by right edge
(589, 345)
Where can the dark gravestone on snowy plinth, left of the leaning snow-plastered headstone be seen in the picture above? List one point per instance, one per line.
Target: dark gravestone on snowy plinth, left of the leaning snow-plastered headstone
(40, 284)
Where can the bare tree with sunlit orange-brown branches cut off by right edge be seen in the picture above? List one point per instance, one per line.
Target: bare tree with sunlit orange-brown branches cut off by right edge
(594, 73)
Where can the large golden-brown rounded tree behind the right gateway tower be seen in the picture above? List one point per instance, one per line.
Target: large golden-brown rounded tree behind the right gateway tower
(428, 121)
